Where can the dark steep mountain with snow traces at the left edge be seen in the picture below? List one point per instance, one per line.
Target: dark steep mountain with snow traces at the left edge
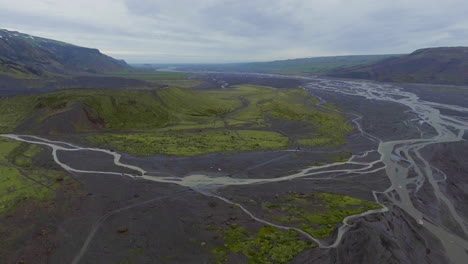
(26, 55)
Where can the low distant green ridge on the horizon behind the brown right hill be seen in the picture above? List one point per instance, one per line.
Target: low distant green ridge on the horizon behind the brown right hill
(301, 66)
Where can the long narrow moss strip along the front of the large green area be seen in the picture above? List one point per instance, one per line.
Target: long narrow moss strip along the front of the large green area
(193, 143)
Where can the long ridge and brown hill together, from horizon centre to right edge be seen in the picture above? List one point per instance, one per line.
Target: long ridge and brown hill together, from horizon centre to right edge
(445, 65)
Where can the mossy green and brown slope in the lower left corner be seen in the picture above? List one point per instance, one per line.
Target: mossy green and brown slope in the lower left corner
(33, 197)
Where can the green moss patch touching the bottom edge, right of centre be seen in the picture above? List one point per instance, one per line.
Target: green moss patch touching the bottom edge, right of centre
(268, 245)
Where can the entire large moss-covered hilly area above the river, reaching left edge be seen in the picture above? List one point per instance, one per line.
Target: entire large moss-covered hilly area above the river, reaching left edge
(240, 118)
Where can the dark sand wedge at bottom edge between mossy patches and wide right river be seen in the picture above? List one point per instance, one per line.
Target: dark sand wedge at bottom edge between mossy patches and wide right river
(392, 237)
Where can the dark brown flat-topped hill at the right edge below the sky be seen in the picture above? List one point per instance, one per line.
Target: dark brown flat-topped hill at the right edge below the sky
(445, 65)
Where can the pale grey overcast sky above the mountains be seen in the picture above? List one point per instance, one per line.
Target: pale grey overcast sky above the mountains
(214, 31)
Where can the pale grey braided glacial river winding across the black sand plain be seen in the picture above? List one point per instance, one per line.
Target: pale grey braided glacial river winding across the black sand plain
(402, 161)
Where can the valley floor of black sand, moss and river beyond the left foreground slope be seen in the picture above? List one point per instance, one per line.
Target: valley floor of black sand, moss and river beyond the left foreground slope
(327, 162)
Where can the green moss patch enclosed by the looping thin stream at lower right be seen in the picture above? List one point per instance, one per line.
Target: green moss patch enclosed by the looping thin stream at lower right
(318, 214)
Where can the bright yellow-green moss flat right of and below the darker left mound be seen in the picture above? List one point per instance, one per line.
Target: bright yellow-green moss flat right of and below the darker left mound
(248, 106)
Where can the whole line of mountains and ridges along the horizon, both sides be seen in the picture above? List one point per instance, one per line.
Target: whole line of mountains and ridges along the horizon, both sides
(23, 56)
